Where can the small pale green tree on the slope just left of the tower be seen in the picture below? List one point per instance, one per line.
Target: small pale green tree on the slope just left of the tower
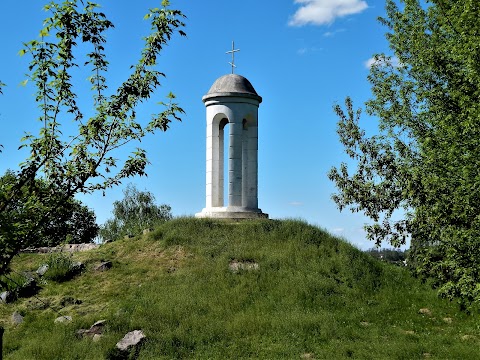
(134, 213)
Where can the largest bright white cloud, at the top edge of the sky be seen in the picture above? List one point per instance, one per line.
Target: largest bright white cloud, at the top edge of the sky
(321, 12)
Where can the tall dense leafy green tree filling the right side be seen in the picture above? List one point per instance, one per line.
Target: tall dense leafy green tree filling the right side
(426, 157)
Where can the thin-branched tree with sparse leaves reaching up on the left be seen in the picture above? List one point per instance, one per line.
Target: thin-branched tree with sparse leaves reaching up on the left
(84, 161)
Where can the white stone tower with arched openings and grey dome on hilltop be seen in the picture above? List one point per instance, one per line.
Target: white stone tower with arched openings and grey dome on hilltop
(232, 103)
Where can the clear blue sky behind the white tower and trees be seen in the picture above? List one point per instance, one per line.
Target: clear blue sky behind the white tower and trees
(302, 57)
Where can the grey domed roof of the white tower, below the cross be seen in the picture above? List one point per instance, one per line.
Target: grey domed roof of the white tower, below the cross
(232, 85)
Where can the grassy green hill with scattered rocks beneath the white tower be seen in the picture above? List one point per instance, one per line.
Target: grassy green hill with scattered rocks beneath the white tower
(301, 293)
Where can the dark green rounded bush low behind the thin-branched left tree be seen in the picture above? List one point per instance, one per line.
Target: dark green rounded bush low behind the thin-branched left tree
(69, 222)
